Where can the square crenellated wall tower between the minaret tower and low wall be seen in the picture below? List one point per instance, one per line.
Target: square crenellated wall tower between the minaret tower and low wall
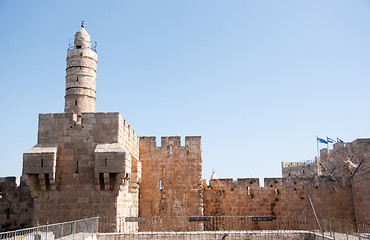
(172, 177)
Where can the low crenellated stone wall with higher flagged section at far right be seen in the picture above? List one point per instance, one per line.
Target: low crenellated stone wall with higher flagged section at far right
(287, 196)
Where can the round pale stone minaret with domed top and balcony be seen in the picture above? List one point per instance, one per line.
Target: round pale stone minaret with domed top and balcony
(81, 75)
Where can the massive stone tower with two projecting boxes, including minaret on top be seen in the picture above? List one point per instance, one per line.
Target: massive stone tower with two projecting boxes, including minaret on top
(85, 163)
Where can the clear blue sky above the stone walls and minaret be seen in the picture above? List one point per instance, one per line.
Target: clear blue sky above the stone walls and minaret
(258, 80)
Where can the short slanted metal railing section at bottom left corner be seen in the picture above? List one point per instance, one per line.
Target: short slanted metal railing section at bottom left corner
(81, 229)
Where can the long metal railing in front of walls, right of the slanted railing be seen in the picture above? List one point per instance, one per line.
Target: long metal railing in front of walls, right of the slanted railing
(324, 227)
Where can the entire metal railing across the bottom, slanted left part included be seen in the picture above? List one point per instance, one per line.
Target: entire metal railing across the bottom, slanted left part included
(211, 227)
